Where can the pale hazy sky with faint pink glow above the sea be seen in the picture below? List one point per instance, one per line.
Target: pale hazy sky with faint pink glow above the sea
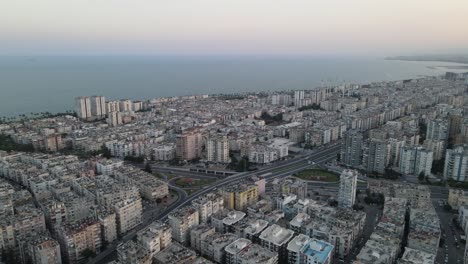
(314, 27)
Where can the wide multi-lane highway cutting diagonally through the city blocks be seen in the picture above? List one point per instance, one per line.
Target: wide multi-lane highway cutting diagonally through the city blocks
(278, 170)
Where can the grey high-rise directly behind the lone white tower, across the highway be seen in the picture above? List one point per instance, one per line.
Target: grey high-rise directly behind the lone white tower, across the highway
(351, 148)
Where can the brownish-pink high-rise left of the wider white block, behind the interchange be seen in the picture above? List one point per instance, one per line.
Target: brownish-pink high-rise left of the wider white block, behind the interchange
(189, 145)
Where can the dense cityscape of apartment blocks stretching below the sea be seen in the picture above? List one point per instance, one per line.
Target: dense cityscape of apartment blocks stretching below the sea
(364, 174)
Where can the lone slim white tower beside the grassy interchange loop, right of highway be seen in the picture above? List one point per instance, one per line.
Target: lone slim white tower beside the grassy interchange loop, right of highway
(348, 187)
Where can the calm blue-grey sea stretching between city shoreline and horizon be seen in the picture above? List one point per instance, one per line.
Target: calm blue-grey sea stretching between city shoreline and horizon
(50, 83)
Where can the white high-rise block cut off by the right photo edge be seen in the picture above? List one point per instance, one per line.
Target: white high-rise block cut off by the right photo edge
(456, 163)
